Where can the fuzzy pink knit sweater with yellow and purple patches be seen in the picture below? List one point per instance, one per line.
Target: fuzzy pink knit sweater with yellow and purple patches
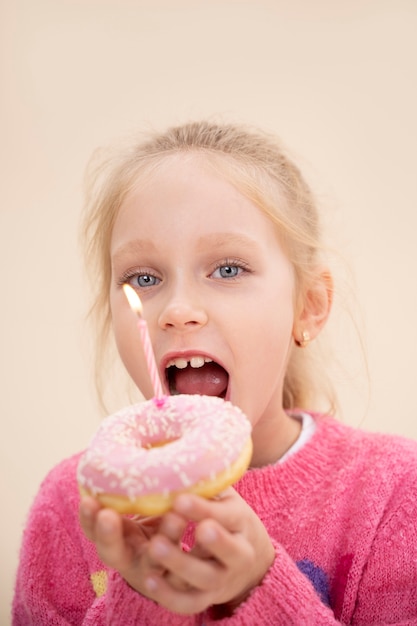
(342, 513)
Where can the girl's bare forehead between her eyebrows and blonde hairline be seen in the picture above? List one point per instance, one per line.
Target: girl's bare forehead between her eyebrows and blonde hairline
(184, 195)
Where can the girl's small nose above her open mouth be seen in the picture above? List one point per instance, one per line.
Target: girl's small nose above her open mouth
(183, 314)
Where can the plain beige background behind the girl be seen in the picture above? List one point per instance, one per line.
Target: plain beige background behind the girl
(337, 81)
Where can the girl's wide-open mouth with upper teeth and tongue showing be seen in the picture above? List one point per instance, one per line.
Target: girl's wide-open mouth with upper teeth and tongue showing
(196, 375)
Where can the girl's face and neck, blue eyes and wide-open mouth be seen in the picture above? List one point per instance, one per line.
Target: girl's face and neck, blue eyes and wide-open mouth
(217, 290)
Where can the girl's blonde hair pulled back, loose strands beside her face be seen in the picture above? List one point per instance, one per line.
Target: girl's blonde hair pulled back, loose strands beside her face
(259, 168)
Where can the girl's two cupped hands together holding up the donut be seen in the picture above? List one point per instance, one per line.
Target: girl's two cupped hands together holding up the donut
(231, 555)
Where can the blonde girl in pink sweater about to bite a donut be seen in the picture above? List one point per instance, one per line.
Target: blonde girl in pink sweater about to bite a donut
(217, 231)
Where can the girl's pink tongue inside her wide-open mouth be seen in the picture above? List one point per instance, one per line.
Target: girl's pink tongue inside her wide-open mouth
(209, 380)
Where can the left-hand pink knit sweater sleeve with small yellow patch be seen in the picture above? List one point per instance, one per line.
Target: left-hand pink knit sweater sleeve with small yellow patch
(60, 579)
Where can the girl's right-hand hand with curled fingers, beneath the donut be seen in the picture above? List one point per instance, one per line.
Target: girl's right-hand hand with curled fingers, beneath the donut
(232, 554)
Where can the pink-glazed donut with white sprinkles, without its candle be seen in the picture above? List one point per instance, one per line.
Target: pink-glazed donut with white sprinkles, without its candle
(144, 455)
